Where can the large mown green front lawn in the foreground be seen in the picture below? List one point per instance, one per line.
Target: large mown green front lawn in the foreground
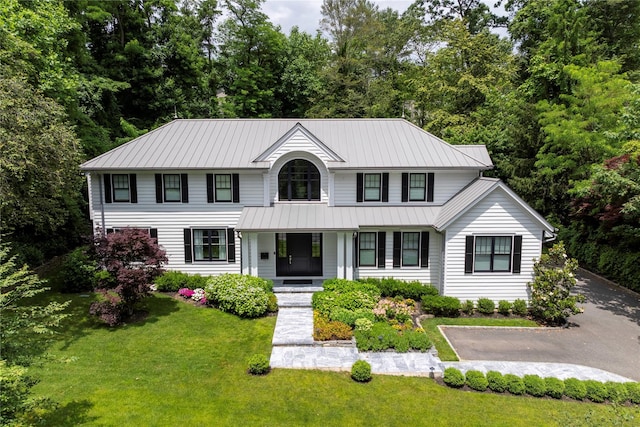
(185, 366)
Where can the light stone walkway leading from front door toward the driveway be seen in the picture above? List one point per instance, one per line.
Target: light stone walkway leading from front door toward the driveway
(294, 348)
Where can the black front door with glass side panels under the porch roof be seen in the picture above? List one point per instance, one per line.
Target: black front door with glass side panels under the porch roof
(299, 254)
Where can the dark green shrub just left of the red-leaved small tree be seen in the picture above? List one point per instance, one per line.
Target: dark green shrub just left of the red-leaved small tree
(77, 273)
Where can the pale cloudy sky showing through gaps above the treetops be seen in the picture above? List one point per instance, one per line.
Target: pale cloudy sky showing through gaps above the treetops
(306, 13)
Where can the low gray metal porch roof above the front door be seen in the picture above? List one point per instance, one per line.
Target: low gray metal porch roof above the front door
(320, 217)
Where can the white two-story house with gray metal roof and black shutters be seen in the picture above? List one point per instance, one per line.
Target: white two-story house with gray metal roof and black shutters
(299, 199)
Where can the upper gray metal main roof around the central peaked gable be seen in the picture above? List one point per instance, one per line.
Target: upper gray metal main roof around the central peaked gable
(235, 143)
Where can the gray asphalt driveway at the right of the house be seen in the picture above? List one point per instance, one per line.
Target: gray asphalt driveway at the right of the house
(605, 336)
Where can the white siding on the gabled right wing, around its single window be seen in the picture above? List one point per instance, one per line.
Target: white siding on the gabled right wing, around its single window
(496, 214)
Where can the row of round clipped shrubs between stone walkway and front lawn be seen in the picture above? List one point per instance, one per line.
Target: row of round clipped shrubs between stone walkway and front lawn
(537, 386)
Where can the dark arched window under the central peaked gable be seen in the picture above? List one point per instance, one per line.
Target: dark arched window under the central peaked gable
(299, 180)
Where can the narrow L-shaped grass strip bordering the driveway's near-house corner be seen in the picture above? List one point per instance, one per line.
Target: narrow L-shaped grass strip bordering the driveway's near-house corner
(445, 352)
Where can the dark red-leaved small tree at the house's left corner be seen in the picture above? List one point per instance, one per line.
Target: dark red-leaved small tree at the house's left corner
(130, 259)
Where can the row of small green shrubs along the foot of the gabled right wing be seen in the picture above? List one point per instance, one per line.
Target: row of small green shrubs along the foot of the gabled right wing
(444, 306)
